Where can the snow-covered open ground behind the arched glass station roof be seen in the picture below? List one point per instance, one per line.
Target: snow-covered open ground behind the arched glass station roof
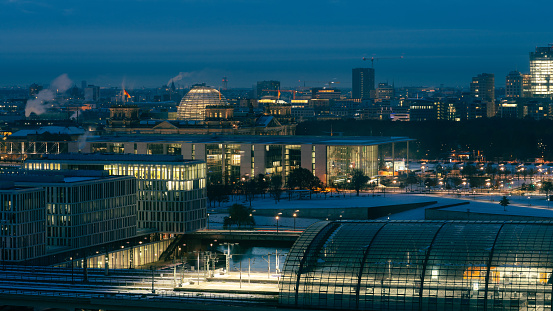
(529, 205)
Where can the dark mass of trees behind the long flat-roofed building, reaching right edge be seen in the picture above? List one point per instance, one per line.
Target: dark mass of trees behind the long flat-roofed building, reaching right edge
(494, 138)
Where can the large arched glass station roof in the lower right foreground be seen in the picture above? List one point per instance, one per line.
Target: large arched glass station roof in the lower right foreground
(420, 265)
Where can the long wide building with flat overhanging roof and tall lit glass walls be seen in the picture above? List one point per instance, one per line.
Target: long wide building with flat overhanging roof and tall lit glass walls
(228, 158)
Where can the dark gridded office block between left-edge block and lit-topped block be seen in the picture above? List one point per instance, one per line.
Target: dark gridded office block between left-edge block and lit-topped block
(84, 209)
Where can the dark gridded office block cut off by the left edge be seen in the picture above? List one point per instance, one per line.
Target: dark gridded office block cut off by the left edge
(22, 222)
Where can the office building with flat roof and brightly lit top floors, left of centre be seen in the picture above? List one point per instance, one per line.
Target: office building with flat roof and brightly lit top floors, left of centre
(171, 191)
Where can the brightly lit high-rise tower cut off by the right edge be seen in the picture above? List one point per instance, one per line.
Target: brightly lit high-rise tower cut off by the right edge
(541, 72)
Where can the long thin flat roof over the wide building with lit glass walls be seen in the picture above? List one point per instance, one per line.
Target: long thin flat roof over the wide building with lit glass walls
(254, 139)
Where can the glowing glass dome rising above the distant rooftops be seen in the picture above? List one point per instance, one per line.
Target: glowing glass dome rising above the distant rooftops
(192, 106)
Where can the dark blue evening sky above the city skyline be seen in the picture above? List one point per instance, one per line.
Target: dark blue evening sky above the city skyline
(147, 42)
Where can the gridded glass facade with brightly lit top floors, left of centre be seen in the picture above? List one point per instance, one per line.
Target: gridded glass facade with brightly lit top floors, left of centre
(171, 195)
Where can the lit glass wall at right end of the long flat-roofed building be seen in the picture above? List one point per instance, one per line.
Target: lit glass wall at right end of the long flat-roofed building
(342, 160)
